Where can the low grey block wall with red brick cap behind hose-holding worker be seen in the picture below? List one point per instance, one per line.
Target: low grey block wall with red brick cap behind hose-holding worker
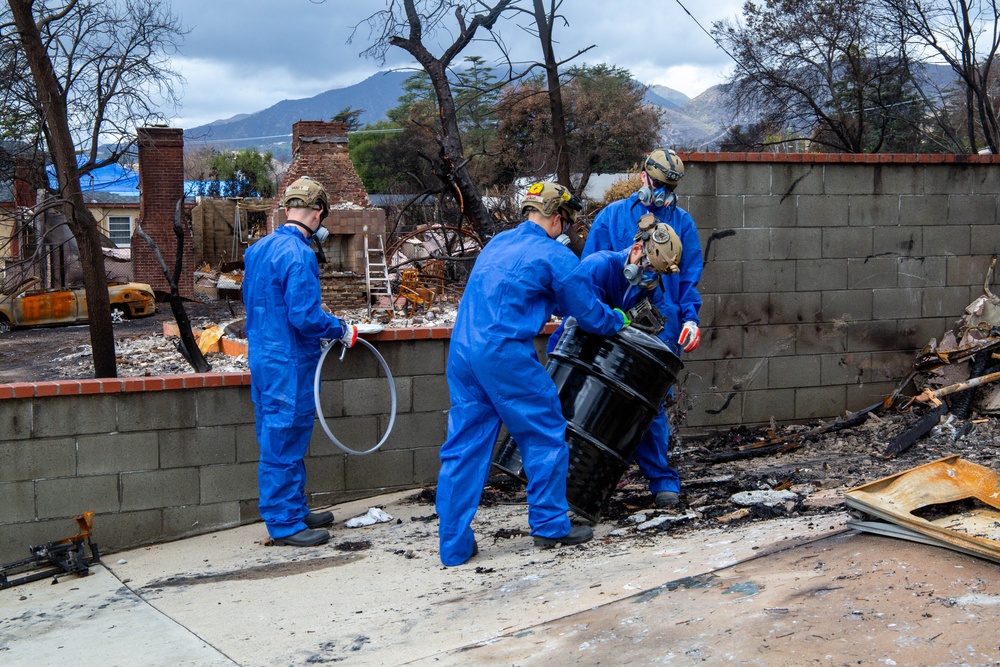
(162, 458)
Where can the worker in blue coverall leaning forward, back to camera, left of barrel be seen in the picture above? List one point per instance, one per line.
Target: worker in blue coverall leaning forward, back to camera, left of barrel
(521, 277)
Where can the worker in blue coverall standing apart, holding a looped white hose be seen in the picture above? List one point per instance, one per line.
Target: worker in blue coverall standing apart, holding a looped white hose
(285, 325)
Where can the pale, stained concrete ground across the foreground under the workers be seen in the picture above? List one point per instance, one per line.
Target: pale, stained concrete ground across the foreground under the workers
(780, 592)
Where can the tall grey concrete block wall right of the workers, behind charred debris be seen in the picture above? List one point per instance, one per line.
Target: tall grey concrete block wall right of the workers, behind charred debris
(826, 274)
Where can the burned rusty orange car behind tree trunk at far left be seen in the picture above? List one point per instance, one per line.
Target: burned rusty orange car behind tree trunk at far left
(28, 307)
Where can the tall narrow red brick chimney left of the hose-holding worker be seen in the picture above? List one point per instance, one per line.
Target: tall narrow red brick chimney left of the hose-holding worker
(161, 186)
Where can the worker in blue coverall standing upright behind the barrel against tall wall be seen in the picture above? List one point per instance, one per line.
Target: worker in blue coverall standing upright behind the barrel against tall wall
(614, 228)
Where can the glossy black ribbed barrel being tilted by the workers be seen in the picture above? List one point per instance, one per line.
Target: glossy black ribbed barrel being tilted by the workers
(610, 388)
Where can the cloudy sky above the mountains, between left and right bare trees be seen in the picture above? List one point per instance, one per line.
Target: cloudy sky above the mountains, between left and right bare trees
(245, 55)
